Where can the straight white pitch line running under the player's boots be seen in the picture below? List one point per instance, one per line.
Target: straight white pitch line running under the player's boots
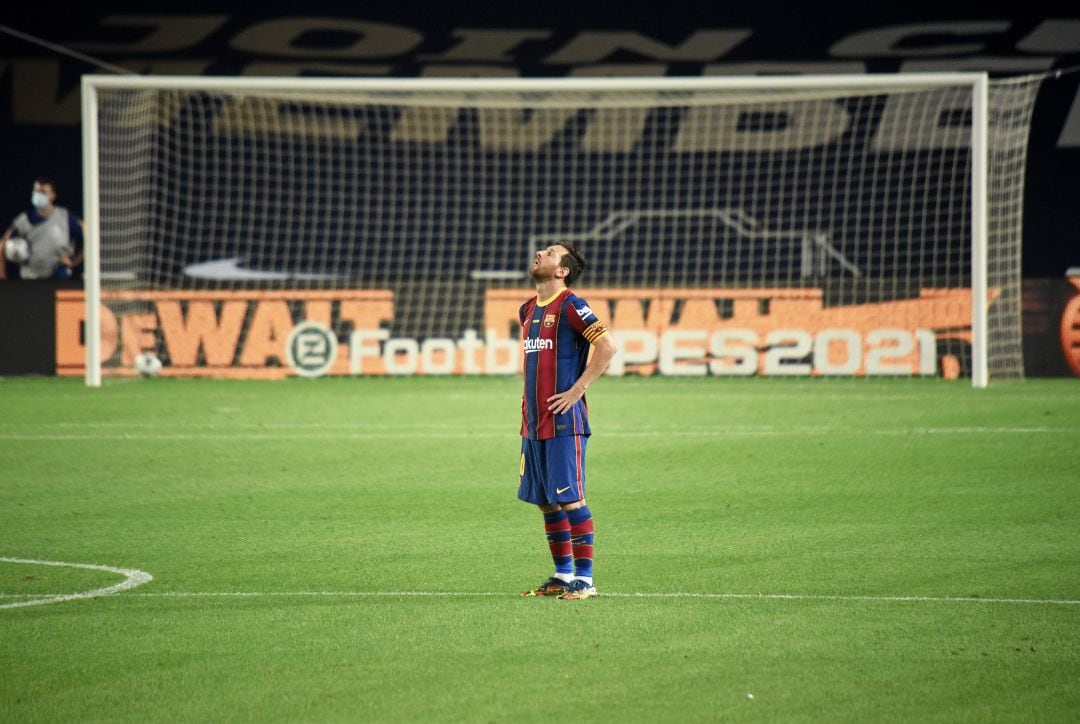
(669, 595)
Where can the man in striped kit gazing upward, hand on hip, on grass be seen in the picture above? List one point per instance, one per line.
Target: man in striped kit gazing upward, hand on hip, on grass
(558, 331)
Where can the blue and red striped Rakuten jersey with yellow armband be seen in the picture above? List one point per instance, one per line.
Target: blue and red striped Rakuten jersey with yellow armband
(557, 336)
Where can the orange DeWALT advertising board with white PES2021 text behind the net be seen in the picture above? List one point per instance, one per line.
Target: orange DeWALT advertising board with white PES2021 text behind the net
(694, 332)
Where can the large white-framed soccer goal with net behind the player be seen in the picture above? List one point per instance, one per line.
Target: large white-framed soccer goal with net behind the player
(796, 226)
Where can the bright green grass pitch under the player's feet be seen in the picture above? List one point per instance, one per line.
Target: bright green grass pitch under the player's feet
(916, 546)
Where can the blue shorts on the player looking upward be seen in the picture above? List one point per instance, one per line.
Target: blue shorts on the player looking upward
(553, 471)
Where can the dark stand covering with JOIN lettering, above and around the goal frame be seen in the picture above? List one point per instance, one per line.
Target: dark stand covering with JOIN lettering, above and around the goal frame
(44, 56)
